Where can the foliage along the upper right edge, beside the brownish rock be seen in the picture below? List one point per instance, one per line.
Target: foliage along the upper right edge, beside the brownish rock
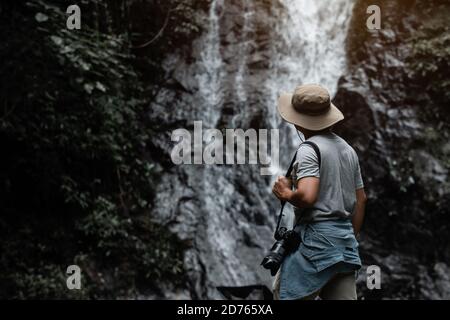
(429, 62)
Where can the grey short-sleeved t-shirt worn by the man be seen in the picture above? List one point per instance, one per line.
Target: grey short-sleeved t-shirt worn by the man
(340, 177)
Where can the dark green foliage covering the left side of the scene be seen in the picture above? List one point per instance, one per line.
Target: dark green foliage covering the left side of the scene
(77, 176)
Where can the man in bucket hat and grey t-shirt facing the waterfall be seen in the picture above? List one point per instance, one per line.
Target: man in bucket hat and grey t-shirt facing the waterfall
(329, 201)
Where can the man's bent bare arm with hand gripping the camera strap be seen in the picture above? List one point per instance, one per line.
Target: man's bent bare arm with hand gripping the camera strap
(303, 197)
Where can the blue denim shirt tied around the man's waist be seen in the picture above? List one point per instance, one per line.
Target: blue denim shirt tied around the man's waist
(328, 247)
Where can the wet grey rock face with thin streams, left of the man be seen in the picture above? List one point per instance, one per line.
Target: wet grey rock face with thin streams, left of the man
(223, 213)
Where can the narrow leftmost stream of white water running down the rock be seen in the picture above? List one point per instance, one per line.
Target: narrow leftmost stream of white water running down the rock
(211, 89)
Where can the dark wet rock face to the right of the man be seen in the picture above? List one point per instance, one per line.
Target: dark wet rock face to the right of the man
(405, 171)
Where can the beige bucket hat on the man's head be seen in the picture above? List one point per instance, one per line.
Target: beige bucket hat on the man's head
(309, 107)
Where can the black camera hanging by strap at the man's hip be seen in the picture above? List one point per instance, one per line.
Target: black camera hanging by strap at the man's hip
(287, 242)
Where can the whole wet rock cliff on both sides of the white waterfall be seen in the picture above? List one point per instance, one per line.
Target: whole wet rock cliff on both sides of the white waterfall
(225, 214)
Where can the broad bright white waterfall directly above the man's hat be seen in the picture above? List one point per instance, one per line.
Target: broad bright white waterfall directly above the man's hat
(311, 47)
